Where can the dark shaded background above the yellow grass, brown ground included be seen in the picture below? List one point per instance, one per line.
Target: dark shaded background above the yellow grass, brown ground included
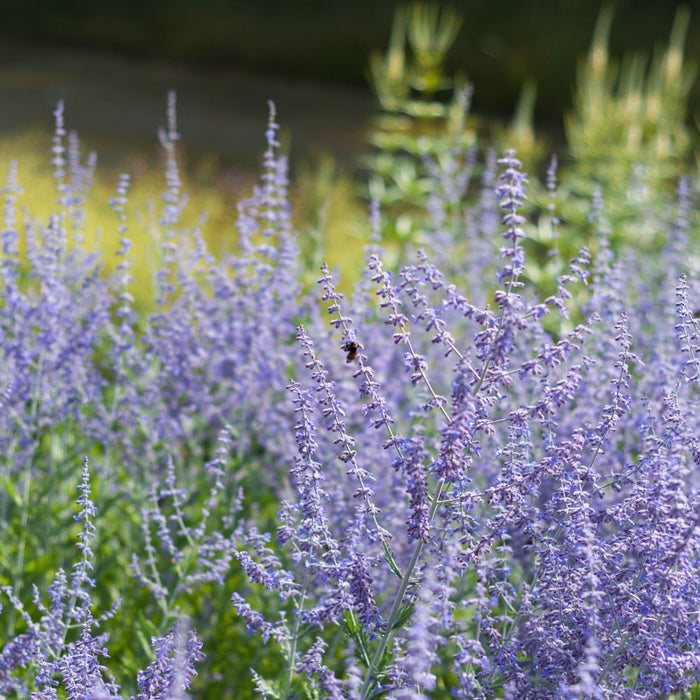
(113, 60)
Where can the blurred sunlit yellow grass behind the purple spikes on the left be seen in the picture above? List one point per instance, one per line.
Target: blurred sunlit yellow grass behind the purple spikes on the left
(329, 215)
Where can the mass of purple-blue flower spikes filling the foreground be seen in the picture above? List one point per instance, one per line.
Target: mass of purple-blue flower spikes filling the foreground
(475, 496)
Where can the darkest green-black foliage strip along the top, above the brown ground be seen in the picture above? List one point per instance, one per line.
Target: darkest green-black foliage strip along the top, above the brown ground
(501, 43)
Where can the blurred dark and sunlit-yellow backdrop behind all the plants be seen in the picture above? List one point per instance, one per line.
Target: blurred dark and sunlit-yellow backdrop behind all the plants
(113, 62)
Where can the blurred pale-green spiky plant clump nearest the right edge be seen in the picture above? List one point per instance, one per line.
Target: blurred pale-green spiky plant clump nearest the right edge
(629, 137)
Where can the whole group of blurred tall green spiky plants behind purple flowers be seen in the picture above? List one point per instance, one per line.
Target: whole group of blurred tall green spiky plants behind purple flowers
(628, 140)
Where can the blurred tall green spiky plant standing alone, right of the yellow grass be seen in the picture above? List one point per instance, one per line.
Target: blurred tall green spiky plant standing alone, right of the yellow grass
(417, 123)
